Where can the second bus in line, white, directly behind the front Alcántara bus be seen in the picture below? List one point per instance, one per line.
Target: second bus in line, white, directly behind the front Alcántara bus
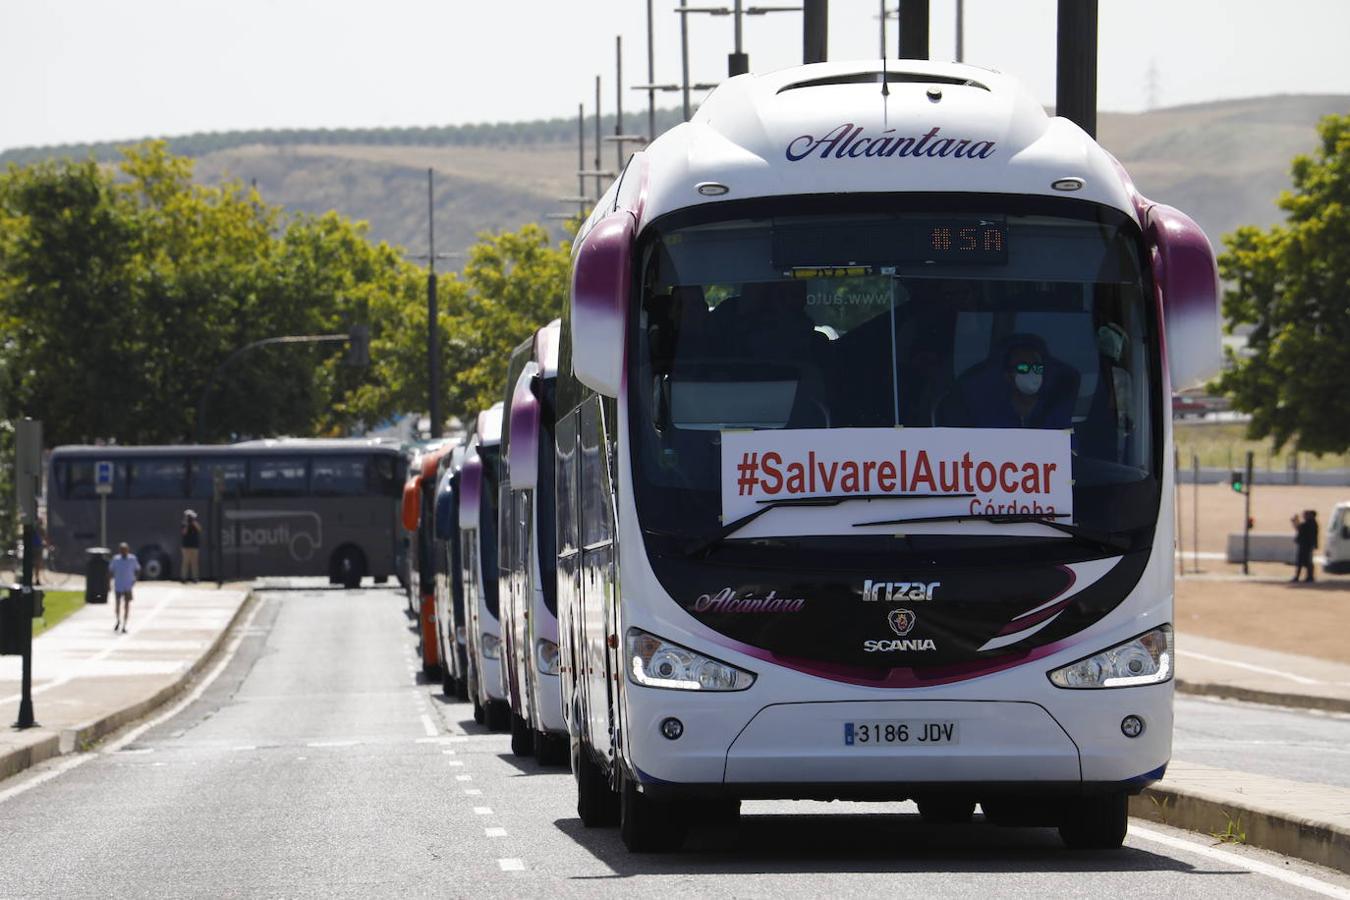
(527, 553)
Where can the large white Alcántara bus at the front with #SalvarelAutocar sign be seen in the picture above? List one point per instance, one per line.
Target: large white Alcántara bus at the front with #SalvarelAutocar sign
(865, 459)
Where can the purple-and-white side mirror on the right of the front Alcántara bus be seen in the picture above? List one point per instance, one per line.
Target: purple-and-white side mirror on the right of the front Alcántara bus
(1187, 277)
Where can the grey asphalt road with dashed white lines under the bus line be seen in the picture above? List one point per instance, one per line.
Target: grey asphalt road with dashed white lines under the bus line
(317, 766)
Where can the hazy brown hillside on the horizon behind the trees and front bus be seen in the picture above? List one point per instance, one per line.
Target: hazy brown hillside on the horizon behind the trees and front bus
(1222, 163)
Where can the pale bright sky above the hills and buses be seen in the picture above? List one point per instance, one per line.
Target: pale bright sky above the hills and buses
(88, 71)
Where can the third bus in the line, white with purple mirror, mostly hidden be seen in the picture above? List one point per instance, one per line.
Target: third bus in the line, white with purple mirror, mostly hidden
(479, 478)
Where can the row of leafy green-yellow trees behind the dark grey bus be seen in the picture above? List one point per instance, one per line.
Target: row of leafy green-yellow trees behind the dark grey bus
(124, 292)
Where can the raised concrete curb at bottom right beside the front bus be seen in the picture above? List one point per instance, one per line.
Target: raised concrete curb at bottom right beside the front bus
(1318, 843)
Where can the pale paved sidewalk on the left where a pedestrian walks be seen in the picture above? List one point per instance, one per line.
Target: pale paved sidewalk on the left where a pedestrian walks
(90, 681)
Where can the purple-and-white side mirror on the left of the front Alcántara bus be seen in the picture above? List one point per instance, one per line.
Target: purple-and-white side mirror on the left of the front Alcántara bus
(601, 283)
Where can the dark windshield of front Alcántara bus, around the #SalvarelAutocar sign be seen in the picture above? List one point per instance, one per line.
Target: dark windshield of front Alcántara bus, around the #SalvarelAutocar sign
(992, 316)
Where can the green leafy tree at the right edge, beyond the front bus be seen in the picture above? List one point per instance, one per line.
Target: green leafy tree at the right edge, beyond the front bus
(1293, 287)
